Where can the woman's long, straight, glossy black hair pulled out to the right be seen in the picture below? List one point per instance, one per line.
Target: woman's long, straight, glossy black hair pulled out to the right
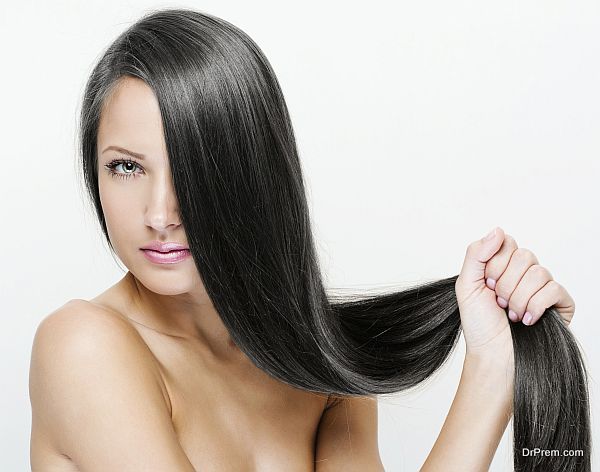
(238, 180)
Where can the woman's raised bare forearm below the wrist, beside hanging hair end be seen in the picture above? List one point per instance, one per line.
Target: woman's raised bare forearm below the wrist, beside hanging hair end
(477, 418)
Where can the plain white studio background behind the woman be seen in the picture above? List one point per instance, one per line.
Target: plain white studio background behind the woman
(421, 125)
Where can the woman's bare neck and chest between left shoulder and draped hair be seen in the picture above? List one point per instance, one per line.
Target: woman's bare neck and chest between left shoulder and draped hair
(224, 409)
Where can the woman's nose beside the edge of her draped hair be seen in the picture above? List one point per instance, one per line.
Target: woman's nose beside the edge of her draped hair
(162, 212)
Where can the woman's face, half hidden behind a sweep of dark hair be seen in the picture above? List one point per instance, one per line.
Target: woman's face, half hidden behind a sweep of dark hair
(137, 197)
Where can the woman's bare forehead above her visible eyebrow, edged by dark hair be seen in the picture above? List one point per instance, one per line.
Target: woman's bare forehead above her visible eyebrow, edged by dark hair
(131, 118)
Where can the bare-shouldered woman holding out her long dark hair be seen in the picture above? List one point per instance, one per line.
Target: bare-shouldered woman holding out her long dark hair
(219, 349)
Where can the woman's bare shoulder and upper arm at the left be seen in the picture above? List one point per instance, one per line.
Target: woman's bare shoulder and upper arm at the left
(95, 395)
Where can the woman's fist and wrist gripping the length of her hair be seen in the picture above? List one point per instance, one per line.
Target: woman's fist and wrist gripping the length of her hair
(497, 275)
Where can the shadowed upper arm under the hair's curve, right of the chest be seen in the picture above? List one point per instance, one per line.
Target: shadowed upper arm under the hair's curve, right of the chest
(347, 436)
